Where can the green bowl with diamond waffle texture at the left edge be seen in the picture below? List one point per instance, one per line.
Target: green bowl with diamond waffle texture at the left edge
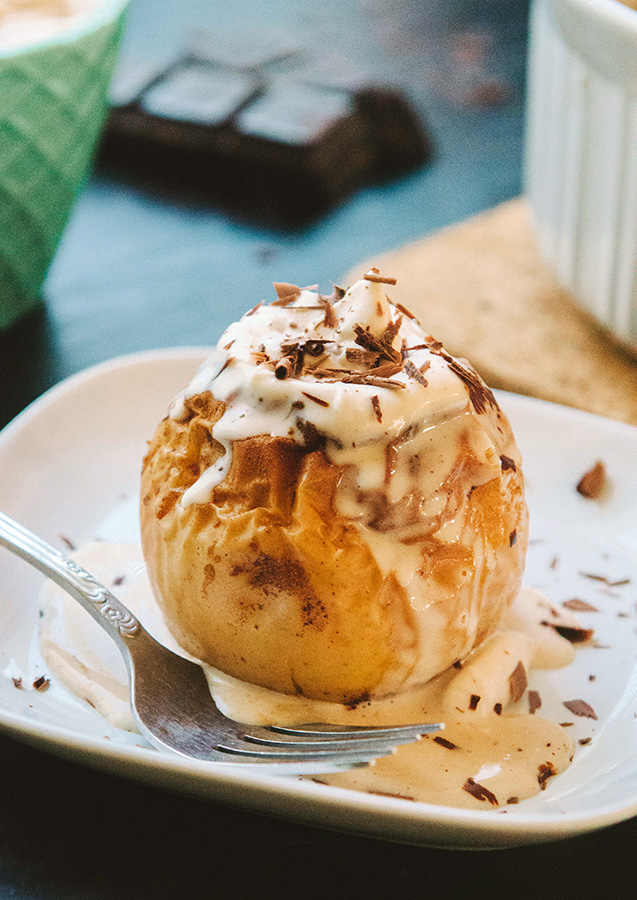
(53, 101)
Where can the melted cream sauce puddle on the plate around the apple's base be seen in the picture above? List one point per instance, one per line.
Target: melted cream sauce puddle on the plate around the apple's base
(493, 751)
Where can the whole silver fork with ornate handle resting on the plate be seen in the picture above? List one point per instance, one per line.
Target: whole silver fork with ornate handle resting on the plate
(170, 698)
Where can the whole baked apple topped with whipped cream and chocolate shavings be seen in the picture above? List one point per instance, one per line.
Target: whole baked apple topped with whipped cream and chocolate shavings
(334, 506)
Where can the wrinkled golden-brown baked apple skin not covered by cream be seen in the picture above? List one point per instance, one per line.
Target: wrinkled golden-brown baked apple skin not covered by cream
(270, 583)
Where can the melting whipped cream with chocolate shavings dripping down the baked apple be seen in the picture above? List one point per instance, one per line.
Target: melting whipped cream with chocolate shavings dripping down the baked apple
(357, 375)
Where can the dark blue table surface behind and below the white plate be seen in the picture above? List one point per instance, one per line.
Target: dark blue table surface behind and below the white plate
(138, 269)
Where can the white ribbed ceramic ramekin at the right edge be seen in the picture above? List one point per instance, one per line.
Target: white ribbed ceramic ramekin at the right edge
(581, 152)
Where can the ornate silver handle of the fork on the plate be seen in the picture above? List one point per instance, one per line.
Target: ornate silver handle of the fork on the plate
(106, 609)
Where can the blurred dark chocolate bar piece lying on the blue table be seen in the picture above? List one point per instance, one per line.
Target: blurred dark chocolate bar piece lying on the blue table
(270, 147)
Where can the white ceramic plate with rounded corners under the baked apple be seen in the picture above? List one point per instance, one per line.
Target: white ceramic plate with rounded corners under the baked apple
(73, 457)
